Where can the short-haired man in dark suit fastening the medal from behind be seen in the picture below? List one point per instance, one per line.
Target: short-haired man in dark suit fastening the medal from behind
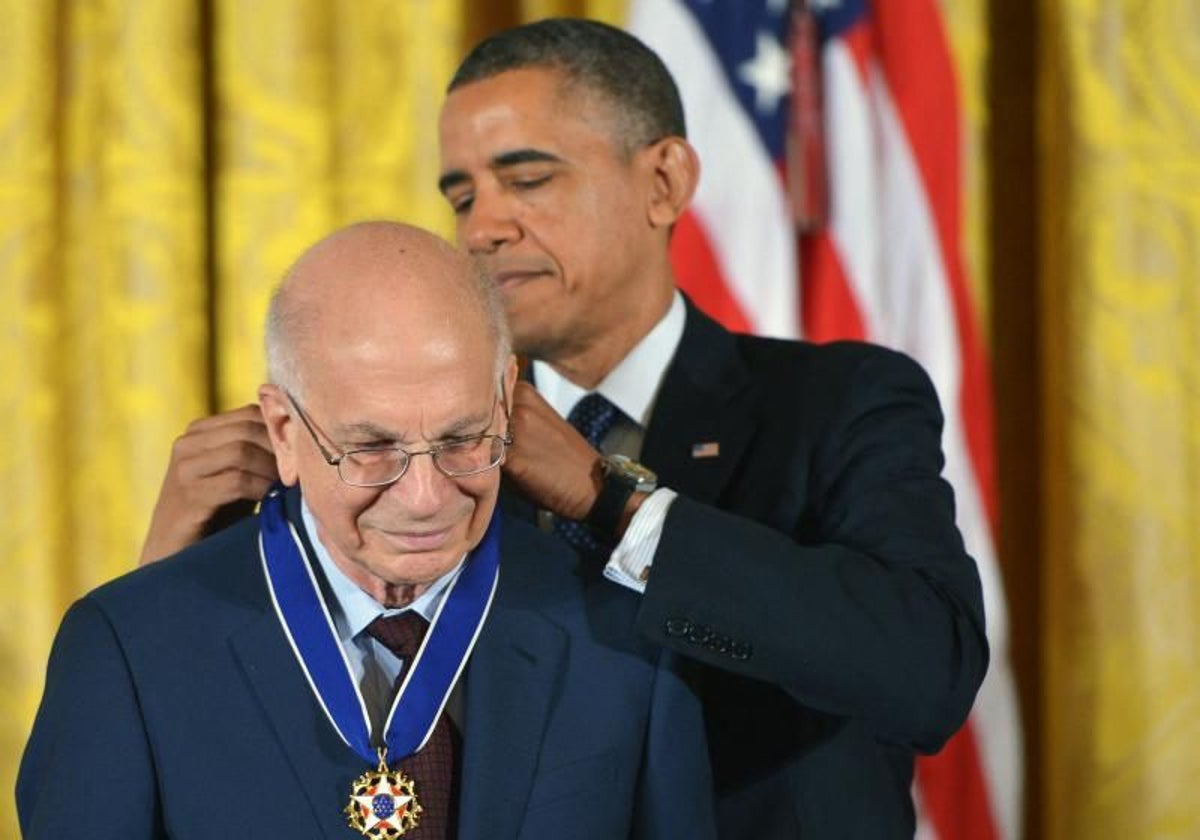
(799, 542)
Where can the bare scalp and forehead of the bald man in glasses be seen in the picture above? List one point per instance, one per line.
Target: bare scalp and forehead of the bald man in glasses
(377, 289)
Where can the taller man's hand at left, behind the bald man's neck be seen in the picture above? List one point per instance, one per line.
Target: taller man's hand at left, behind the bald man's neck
(219, 469)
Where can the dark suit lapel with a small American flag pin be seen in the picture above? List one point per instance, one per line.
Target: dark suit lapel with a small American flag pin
(706, 399)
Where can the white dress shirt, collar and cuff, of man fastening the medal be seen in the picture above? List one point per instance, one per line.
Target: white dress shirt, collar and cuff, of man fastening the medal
(633, 387)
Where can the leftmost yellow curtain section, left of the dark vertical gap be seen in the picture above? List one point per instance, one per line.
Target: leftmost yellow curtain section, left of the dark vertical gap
(104, 298)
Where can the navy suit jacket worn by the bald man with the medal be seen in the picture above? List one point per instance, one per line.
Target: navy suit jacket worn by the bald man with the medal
(175, 707)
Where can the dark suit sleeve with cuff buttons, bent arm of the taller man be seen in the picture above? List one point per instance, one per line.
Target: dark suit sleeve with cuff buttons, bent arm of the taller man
(880, 617)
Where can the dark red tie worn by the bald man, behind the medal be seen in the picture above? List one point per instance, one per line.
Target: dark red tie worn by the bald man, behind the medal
(433, 770)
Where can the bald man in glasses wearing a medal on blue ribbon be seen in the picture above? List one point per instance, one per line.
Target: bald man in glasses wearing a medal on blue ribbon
(298, 675)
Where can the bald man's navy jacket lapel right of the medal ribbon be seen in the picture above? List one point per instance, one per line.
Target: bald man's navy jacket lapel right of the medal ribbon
(511, 685)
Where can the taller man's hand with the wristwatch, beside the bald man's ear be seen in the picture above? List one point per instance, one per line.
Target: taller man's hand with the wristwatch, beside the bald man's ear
(549, 460)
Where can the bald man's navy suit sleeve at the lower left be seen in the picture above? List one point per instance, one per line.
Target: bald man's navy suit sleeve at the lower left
(88, 769)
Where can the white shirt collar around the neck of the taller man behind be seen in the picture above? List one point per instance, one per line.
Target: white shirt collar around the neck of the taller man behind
(632, 386)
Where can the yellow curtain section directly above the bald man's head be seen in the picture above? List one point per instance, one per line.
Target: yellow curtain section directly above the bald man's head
(325, 113)
